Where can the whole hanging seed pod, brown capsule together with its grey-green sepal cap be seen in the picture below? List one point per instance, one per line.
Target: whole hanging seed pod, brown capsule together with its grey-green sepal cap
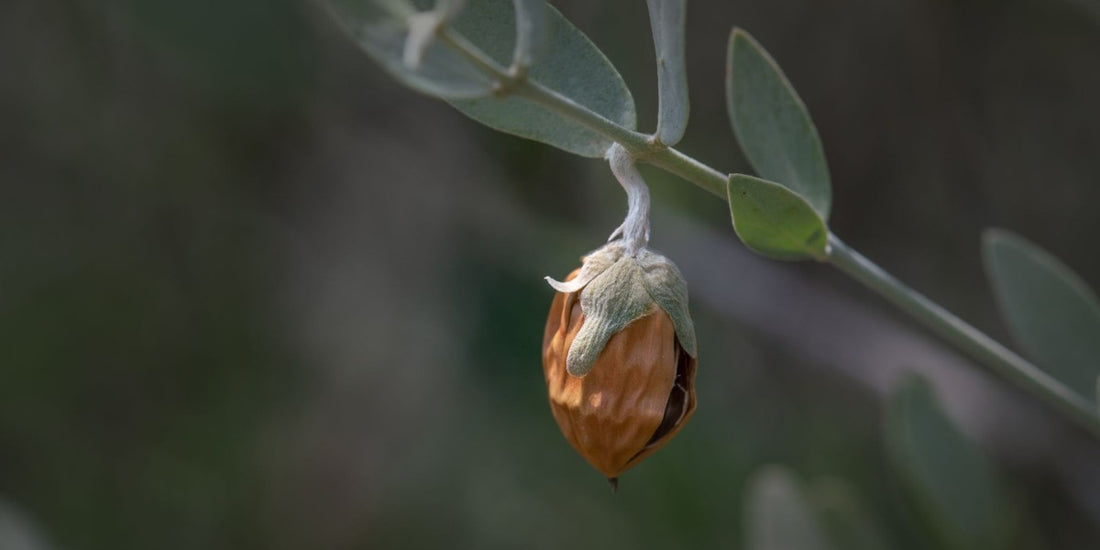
(620, 375)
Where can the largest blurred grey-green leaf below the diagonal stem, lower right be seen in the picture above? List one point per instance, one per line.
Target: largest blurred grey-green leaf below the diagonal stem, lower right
(947, 476)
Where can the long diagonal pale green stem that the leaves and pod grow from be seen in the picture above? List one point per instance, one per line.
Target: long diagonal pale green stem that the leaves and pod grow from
(644, 148)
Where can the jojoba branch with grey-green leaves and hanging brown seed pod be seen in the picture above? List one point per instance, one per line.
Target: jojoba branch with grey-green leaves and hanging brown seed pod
(620, 353)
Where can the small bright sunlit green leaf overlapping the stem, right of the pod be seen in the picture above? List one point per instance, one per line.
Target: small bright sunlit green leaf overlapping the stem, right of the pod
(774, 222)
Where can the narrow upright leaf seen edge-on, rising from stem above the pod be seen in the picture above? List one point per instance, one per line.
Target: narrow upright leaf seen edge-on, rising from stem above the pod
(667, 20)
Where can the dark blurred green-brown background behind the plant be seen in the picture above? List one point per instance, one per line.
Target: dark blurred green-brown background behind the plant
(255, 294)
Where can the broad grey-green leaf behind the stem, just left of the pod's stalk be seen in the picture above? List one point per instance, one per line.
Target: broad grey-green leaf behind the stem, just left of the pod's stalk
(573, 67)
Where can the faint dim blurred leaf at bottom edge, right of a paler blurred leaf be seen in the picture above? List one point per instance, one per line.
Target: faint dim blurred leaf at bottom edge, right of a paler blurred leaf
(846, 520)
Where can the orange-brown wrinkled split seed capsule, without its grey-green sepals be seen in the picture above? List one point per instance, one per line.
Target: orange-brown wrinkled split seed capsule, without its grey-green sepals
(637, 394)
